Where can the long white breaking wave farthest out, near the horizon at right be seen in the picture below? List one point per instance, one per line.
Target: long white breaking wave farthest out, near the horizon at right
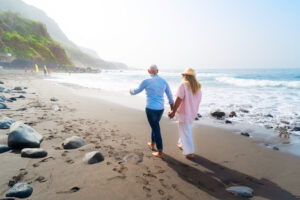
(258, 83)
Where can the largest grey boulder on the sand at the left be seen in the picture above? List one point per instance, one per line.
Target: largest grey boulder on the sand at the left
(23, 136)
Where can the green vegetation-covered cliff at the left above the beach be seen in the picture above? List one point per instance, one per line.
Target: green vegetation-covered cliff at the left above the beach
(29, 40)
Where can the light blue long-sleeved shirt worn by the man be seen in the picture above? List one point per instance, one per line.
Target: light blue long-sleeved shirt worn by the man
(155, 88)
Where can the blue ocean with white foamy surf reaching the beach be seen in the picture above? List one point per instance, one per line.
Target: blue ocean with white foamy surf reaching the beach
(271, 96)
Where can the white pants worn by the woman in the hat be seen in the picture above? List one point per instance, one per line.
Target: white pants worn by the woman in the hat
(185, 138)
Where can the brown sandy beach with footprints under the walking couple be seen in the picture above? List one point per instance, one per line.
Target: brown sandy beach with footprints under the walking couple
(129, 171)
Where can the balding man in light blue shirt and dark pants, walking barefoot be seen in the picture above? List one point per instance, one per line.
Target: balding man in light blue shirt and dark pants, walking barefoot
(155, 87)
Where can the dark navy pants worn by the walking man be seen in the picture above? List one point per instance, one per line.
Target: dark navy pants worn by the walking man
(154, 117)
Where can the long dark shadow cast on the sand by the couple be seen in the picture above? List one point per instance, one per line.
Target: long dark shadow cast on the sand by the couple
(217, 178)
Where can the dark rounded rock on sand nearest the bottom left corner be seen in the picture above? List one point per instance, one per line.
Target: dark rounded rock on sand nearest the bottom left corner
(20, 190)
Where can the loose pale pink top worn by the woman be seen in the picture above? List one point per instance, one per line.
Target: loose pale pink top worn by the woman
(188, 109)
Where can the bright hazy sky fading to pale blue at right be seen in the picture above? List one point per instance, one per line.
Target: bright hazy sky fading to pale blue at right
(182, 33)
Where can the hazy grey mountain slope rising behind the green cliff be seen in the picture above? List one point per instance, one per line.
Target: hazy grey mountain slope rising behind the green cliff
(79, 57)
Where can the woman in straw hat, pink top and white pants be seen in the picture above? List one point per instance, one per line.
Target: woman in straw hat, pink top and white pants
(185, 110)
